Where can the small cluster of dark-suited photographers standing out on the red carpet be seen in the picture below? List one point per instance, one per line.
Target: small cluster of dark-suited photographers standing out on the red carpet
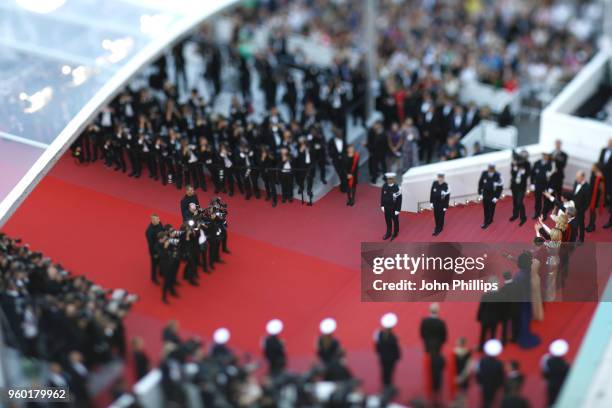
(198, 242)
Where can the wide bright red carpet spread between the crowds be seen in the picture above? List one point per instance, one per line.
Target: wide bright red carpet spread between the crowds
(296, 263)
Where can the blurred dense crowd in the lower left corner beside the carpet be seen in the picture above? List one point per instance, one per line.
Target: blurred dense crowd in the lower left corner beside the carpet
(68, 322)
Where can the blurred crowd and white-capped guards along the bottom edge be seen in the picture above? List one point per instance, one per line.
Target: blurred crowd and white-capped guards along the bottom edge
(223, 378)
